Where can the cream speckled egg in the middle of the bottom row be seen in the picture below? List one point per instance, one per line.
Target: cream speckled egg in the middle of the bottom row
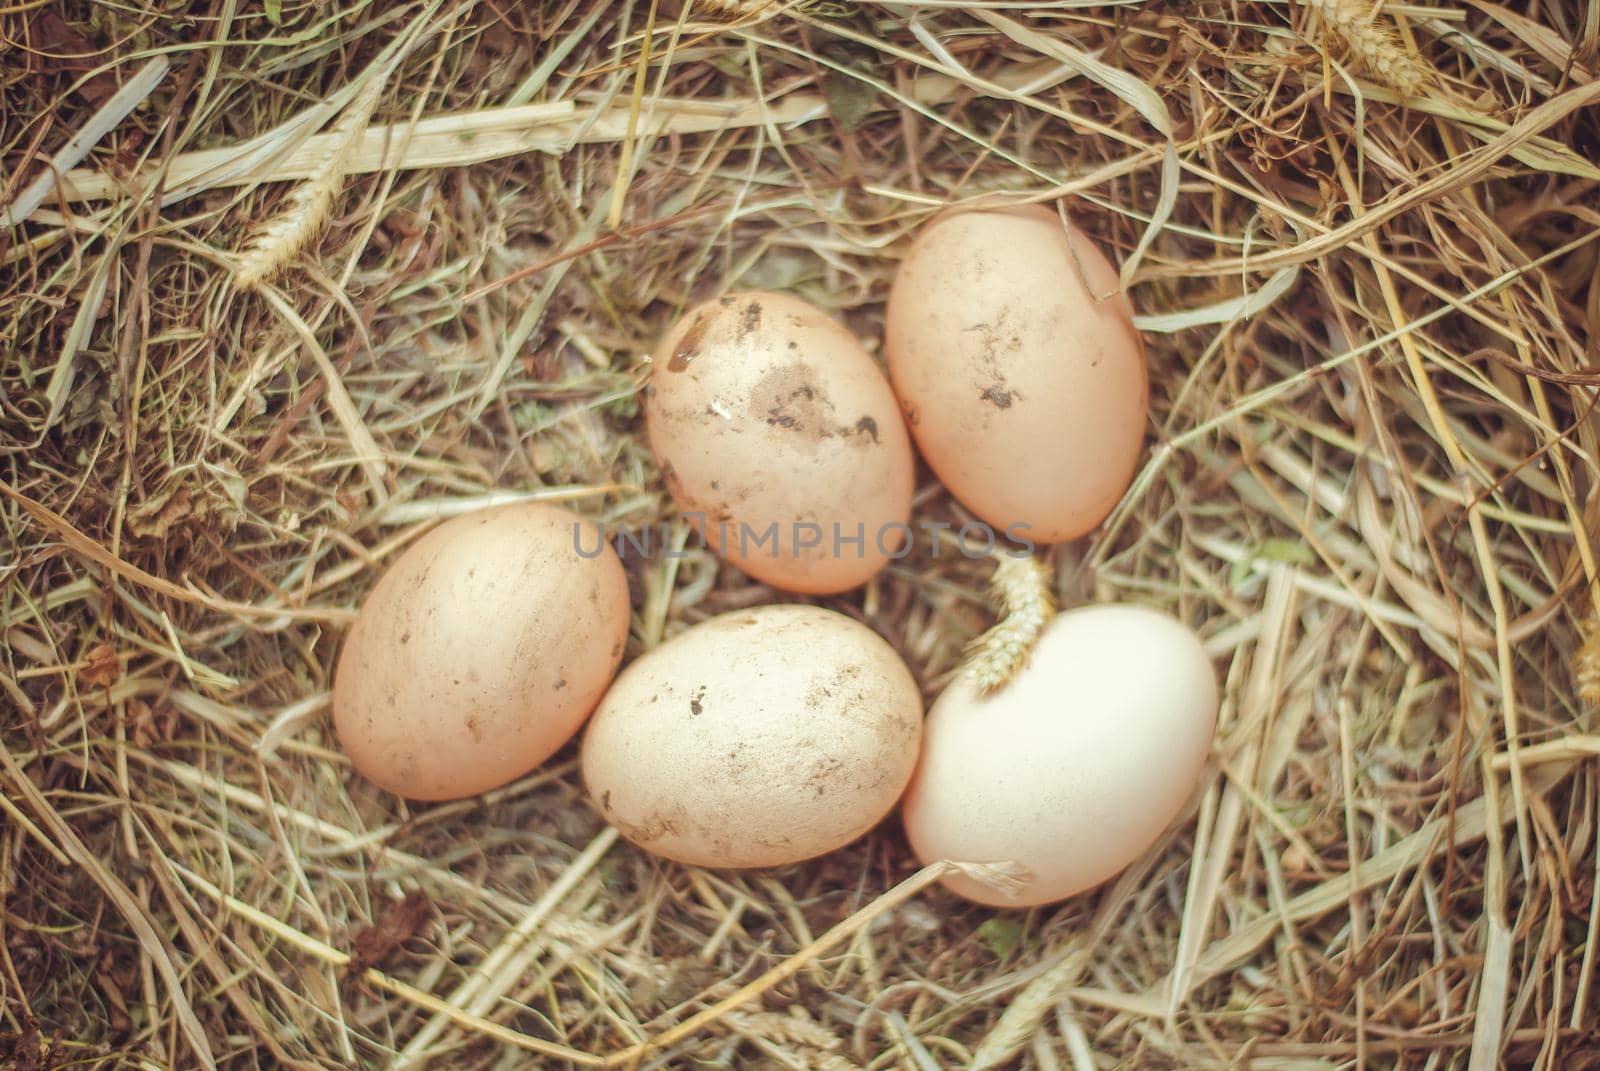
(756, 739)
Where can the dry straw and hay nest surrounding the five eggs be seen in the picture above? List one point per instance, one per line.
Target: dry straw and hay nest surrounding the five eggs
(346, 268)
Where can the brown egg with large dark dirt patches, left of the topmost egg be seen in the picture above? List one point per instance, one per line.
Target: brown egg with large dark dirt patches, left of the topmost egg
(782, 441)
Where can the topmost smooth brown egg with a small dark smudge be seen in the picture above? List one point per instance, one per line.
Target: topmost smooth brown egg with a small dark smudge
(1023, 379)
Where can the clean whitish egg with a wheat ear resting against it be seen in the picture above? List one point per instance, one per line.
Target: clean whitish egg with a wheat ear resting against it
(1078, 766)
